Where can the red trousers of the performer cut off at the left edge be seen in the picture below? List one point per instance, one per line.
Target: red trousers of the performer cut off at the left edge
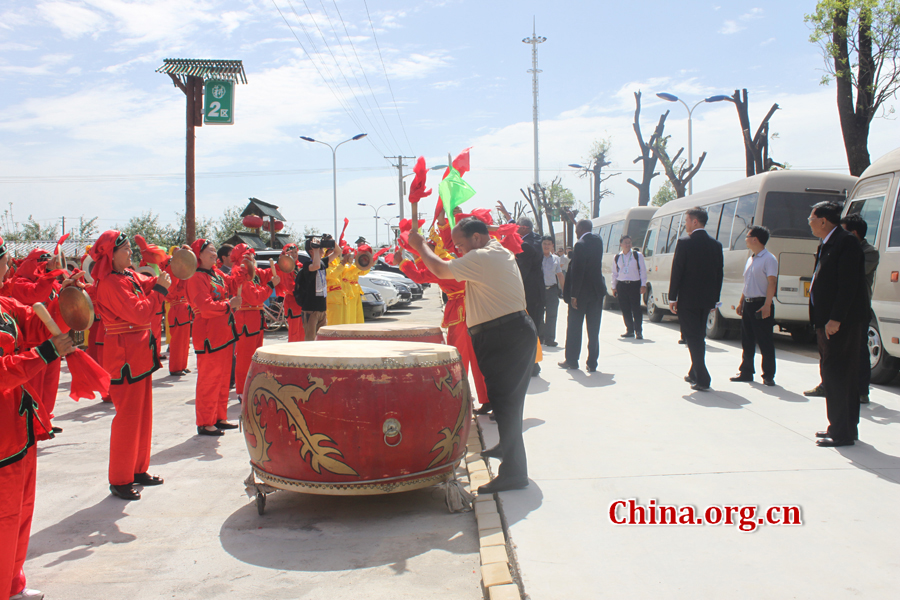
(16, 510)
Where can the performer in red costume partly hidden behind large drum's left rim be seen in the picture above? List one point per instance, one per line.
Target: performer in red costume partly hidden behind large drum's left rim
(254, 286)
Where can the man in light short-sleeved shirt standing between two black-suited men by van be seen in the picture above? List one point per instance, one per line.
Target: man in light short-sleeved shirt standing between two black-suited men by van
(755, 307)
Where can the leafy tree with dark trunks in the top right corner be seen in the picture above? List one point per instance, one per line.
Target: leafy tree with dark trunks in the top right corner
(860, 42)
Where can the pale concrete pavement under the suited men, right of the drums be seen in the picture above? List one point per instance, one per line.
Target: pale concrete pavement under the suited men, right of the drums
(636, 430)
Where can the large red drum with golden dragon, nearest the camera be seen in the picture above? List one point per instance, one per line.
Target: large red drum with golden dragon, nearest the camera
(360, 417)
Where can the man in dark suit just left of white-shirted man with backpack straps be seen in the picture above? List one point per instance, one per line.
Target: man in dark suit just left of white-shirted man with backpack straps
(584, 291)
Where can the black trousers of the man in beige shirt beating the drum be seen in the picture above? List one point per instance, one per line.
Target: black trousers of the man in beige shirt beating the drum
(505, 355)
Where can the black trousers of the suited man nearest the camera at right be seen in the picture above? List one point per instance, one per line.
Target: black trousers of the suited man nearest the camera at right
(839, 367)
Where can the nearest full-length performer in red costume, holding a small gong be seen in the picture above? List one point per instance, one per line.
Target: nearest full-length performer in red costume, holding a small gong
(126, 301)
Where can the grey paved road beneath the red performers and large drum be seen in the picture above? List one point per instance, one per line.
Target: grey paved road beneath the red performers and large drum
(199, 536)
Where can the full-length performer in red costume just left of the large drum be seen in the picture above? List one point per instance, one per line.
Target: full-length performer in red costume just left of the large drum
(213, 335)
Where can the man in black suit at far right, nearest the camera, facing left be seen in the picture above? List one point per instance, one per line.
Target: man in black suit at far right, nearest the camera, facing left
(839, 310)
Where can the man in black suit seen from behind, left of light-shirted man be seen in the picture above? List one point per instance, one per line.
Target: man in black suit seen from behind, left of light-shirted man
(694, 288)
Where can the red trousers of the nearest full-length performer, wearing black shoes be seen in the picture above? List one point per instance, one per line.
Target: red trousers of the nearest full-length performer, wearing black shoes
(129, 439)
